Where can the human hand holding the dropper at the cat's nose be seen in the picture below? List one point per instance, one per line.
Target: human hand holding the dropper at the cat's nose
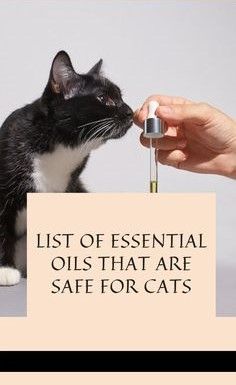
(198, 137)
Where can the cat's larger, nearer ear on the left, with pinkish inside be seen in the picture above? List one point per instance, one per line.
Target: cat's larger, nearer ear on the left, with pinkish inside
(61, 73)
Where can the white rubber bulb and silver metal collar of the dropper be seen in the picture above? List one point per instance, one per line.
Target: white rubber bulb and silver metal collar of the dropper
(153, 126)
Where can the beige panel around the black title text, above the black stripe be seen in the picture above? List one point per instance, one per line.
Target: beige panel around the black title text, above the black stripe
(74, 322)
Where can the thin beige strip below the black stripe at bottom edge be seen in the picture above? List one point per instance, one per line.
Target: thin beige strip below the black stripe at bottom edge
(118, 378)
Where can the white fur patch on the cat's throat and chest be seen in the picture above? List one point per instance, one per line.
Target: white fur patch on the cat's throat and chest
(52, 171)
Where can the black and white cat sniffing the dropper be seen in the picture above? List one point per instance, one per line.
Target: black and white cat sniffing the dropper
(45, 146)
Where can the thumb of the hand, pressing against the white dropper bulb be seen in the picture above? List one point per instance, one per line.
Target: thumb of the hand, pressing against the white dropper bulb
(199, 113)
